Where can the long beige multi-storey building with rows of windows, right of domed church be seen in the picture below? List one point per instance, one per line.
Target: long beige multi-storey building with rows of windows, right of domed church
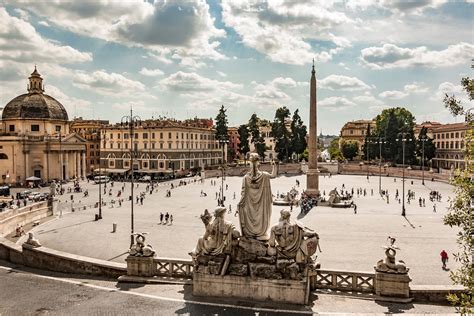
(160, 147)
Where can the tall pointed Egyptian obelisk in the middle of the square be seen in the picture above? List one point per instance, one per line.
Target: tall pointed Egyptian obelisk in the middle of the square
(312, 175)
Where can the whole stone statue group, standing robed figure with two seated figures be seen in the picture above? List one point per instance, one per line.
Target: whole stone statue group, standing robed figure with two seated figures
(285, 250)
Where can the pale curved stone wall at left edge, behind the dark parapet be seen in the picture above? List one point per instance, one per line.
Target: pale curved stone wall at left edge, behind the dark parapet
(22, 216)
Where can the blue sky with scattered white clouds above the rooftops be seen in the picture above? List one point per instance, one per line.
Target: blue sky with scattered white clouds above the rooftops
(184, 59)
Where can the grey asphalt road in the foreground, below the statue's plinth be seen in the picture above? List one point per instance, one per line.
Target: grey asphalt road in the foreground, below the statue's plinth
(26, 291)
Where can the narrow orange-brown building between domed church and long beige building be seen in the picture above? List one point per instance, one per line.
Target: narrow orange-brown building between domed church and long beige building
(89, 130)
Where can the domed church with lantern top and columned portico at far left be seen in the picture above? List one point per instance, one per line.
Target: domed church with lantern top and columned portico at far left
(35, 140)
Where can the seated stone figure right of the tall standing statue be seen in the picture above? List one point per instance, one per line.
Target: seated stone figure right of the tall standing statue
(292, 241)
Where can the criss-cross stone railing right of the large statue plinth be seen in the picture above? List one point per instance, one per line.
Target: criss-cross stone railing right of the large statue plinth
(343, 281)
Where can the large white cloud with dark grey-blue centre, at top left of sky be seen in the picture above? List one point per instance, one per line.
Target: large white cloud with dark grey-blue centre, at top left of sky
(183, 27)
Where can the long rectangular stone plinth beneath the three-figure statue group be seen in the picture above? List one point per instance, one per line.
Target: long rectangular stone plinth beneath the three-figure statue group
(258, 289)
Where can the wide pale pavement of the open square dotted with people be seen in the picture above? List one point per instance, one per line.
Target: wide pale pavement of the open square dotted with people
(348, 241)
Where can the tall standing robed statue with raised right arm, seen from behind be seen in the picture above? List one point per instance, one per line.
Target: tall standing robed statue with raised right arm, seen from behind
(255, 206)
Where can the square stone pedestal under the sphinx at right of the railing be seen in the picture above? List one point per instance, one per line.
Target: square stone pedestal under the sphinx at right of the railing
(393, 286)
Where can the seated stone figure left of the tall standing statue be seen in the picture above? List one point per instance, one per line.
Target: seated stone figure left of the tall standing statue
(218, 236)
